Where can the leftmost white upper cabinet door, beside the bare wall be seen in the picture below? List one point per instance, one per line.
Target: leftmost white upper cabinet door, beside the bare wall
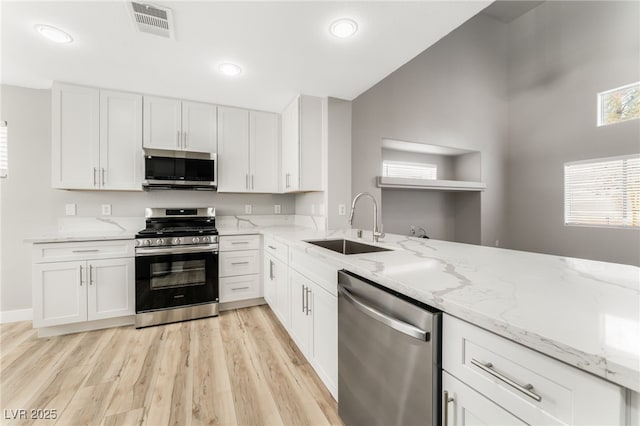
(76, 136)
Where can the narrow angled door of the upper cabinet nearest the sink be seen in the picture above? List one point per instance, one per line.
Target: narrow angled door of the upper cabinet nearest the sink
(291, 146)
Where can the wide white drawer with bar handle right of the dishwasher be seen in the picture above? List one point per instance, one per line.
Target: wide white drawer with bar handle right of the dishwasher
(534, 387)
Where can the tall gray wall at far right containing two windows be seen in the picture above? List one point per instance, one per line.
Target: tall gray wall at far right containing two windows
(561, 54)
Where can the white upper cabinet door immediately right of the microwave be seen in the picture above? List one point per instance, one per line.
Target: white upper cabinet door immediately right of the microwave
(233, 150)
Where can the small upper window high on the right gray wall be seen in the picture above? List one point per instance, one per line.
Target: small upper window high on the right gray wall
(620, 104)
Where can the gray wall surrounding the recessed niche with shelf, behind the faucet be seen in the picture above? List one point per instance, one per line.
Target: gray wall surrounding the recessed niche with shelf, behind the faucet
(453, 94)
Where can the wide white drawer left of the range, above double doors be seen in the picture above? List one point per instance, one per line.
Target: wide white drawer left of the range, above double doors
(86, 250)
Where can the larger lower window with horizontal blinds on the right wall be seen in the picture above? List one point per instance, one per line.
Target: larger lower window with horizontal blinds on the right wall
(603, 192)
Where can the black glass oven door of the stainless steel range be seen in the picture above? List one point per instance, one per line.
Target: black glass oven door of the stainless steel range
(169, 280)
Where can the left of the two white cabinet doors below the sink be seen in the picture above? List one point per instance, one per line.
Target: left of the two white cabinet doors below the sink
(301, 311)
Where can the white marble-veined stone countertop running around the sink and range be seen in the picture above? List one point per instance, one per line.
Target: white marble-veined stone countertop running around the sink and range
(584, 313)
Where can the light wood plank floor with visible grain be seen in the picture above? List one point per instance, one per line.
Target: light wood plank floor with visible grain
(240, 368)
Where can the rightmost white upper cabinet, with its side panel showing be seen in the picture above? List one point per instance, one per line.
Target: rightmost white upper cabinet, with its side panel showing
(302, 144)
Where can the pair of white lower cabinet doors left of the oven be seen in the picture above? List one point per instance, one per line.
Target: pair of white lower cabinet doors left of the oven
(86, 290)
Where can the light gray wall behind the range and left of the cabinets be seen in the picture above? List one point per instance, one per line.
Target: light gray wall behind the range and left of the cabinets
(29, 204)
